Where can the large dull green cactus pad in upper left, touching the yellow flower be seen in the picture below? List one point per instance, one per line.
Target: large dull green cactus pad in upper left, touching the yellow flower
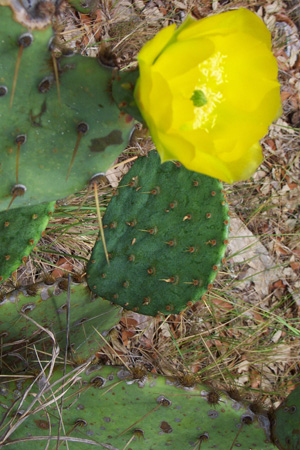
(85, 119)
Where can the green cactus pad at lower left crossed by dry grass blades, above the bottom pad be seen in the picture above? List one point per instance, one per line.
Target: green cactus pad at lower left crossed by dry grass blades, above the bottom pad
(47, 305)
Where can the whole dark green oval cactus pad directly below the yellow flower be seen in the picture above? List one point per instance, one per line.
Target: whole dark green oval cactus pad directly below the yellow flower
(165, 231)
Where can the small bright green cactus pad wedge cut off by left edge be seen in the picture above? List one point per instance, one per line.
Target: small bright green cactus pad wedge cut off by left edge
(20, 231)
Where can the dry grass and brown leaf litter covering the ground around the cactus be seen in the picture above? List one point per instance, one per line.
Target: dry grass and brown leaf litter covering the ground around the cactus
(245, 333)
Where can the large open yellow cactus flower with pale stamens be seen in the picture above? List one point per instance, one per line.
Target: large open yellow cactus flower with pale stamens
(208, 92)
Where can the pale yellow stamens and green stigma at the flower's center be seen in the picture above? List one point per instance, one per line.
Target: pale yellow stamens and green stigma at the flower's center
(207, 94)
